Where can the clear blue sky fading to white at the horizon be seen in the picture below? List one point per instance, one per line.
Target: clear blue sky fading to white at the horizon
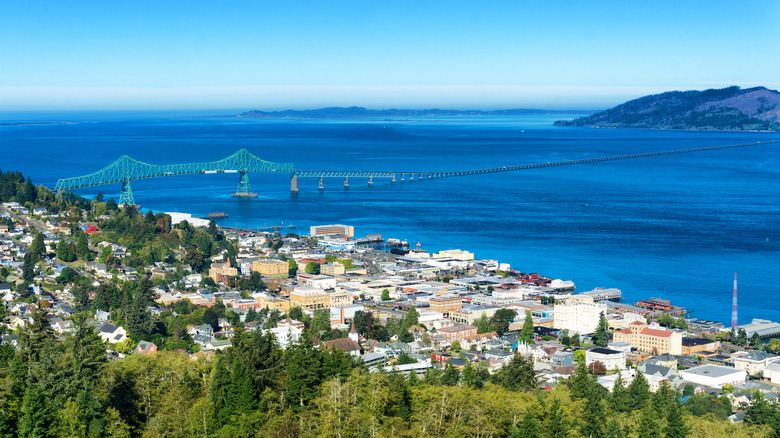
(296, 54)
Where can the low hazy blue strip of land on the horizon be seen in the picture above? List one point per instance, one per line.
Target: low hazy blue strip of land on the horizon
(357, 112)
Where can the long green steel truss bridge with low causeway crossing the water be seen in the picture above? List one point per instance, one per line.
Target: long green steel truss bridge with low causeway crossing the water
(126, 169)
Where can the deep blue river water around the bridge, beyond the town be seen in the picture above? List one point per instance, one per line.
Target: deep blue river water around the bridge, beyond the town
(675, 226)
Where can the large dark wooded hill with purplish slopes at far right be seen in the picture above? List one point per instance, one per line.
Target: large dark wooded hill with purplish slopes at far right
(726, 109)
